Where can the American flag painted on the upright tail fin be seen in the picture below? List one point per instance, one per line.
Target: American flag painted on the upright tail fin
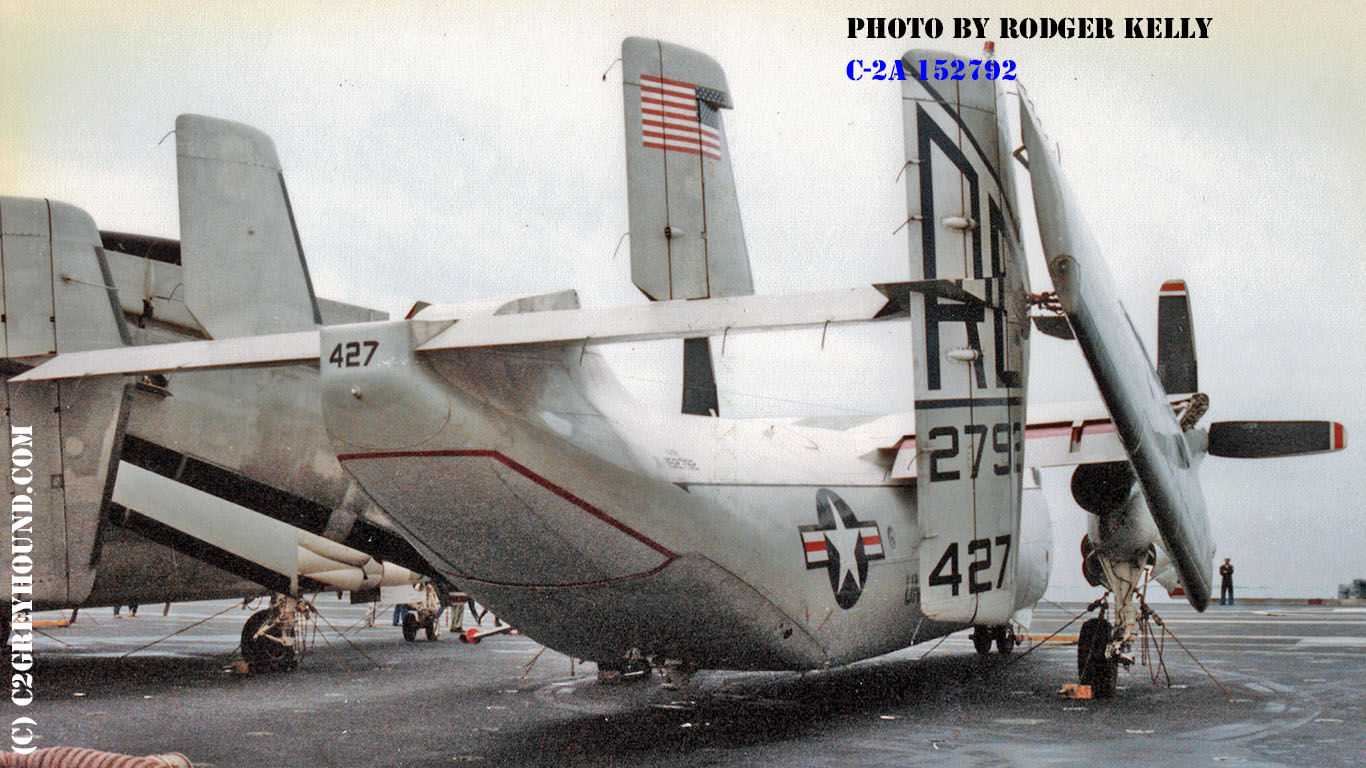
(680, 117)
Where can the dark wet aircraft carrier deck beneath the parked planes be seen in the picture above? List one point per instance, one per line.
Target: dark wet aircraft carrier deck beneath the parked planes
(1292, 691)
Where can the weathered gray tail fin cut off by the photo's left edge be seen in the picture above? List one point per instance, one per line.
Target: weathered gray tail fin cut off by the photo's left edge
(58, 297)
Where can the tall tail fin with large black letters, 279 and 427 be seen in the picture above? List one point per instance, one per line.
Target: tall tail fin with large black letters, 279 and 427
(969, 351)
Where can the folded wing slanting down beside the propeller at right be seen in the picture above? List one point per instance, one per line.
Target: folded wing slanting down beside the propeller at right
(1124, 371)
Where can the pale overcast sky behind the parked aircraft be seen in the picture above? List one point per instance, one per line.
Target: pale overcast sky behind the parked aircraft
(447, 152)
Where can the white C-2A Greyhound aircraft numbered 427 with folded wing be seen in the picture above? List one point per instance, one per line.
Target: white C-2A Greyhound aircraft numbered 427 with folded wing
(505, 448)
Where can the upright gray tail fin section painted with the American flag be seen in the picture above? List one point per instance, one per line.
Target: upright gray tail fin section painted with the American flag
(686, 236)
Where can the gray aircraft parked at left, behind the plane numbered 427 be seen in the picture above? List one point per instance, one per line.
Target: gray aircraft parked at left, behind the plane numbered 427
(197, 486)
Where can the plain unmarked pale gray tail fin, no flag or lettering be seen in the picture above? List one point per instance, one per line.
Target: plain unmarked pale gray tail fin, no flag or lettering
(244, 266)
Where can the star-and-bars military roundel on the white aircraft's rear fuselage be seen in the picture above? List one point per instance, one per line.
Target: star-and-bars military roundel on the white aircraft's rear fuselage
(842, 545)
